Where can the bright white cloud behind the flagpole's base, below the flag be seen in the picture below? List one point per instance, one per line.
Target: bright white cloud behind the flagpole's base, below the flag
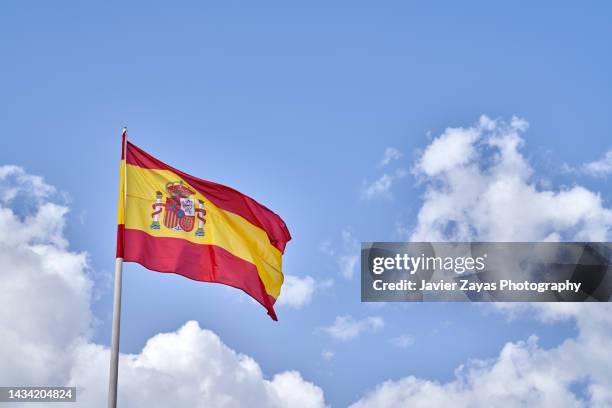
(190, 367)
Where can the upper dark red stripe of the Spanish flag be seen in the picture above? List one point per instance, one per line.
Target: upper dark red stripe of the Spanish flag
(223, 197)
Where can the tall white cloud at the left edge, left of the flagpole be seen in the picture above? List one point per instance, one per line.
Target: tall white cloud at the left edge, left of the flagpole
(44, 307)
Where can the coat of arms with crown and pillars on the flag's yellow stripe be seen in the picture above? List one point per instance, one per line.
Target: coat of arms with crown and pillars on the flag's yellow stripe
(180, 212)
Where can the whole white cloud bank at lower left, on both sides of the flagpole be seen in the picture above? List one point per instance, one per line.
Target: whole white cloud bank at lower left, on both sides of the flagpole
(46, 321)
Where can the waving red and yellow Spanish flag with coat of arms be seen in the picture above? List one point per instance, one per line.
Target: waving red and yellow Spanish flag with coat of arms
(170, 221)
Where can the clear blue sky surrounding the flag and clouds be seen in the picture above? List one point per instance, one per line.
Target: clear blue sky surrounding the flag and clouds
(295, 104)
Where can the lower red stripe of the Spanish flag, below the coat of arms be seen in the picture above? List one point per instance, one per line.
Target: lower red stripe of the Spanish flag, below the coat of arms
(205, 263)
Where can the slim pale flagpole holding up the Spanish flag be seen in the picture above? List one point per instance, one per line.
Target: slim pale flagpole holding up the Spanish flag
(114, 364)
